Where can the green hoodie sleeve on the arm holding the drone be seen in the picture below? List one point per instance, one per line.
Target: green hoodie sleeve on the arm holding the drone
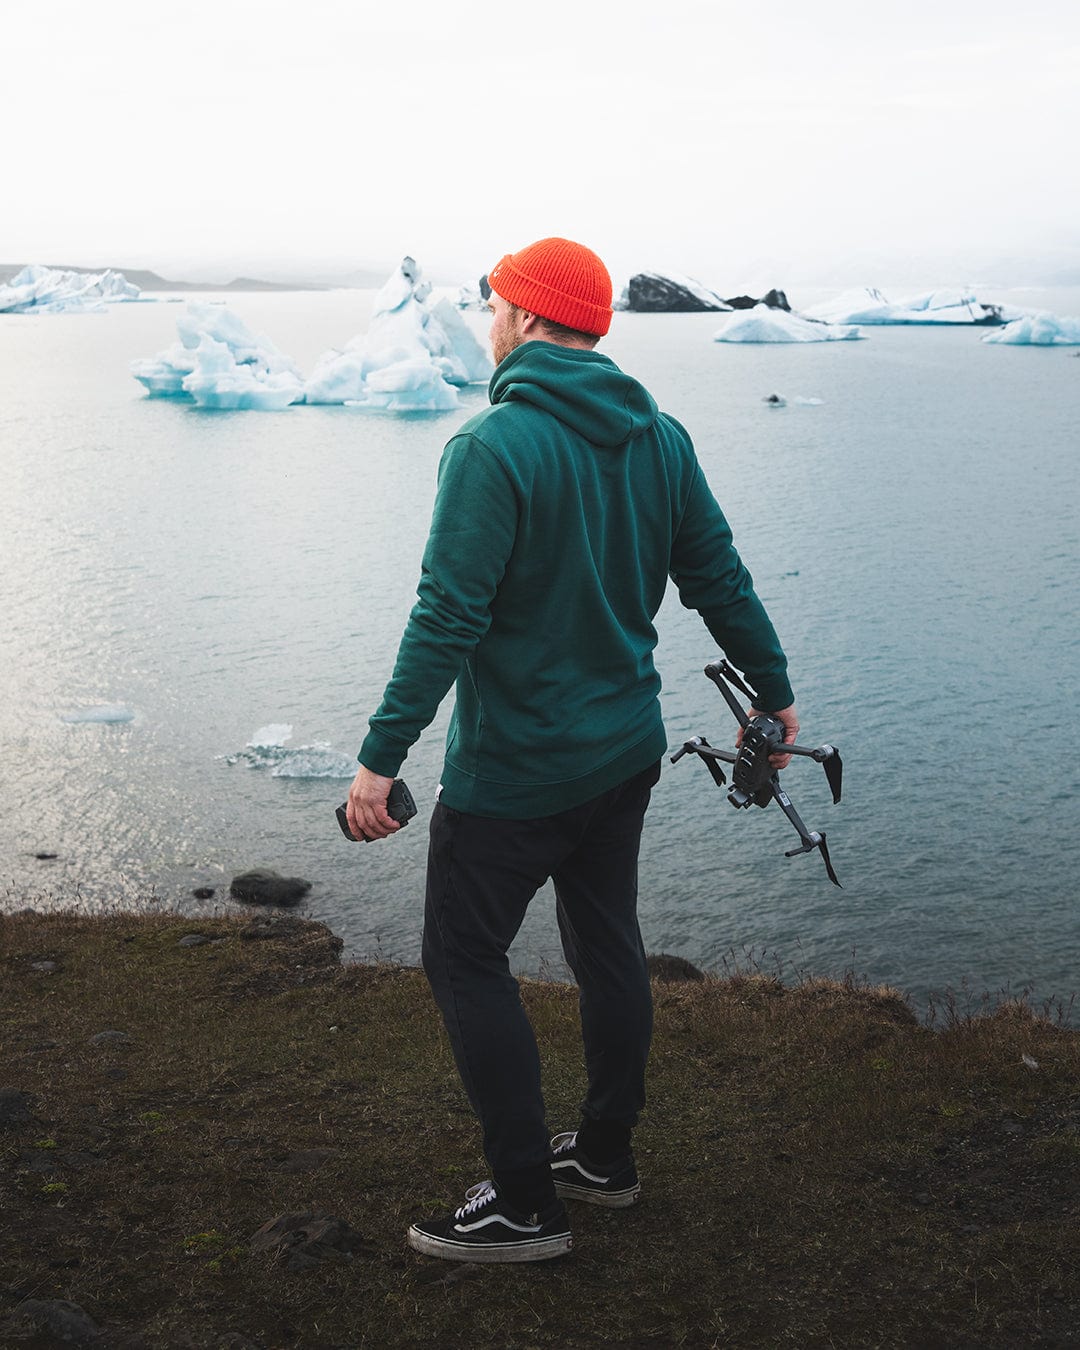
(712, 580)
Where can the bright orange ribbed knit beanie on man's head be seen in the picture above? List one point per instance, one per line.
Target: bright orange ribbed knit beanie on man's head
(558, 280)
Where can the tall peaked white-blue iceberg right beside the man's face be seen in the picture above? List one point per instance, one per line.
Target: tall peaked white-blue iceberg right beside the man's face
(415, 356)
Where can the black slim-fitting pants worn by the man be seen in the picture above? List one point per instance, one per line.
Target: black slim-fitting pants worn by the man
(483, 874)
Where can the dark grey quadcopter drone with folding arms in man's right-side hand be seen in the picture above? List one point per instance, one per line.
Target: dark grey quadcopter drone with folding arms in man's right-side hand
(754, 781)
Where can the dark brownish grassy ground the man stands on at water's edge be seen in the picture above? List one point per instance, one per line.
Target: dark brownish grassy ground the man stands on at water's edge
(819, 1168)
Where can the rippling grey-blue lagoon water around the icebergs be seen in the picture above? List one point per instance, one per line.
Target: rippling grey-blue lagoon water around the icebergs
(175, 583)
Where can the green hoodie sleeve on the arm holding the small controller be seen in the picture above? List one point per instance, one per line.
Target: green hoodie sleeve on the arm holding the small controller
(473, 530)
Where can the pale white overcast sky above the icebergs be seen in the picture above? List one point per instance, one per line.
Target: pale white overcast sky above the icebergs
(742, 144)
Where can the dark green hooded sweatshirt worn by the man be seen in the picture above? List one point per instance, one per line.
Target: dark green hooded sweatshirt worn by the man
(561, 512)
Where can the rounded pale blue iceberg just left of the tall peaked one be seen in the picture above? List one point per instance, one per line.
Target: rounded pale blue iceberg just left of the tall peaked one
(221, 364)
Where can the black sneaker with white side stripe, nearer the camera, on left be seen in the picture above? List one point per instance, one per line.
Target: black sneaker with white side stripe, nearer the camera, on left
(488, 1229)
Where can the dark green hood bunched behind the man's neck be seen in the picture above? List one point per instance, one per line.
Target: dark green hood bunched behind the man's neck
(584, 389)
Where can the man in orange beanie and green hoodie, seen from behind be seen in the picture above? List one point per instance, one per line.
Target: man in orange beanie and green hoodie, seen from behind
(560, 515)
